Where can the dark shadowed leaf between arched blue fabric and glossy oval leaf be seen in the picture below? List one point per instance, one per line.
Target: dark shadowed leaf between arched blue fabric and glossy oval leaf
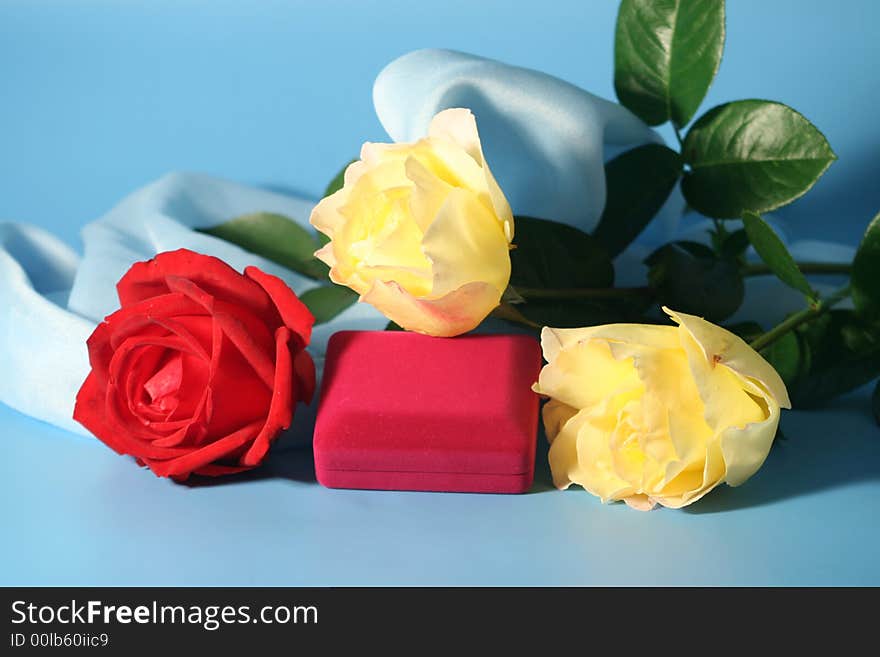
(638, 182)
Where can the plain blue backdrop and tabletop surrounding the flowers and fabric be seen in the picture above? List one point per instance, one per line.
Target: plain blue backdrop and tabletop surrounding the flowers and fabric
(100, 98)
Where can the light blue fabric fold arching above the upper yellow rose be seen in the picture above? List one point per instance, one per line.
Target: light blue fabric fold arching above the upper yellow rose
(546, 139)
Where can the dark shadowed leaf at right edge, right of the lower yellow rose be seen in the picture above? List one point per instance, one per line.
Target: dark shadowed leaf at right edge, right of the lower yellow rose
(844, 354)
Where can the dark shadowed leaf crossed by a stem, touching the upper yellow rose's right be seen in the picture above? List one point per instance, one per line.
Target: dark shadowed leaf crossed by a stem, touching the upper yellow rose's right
(551, 255)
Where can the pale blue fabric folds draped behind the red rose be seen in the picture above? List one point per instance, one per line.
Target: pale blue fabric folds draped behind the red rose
(52, 299)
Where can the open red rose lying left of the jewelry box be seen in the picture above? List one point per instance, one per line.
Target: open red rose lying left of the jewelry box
(200, 368)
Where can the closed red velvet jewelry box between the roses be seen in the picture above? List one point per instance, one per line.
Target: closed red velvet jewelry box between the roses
(403, 411)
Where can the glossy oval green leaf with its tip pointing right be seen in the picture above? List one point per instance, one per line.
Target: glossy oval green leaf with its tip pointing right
(751, 155)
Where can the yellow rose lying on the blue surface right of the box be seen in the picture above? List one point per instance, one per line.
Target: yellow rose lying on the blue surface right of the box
(656, 414)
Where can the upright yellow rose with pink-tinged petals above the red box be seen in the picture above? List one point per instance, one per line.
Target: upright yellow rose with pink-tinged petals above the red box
(422, 231)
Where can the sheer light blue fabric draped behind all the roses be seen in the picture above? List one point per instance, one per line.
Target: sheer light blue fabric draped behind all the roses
(545, 139)
